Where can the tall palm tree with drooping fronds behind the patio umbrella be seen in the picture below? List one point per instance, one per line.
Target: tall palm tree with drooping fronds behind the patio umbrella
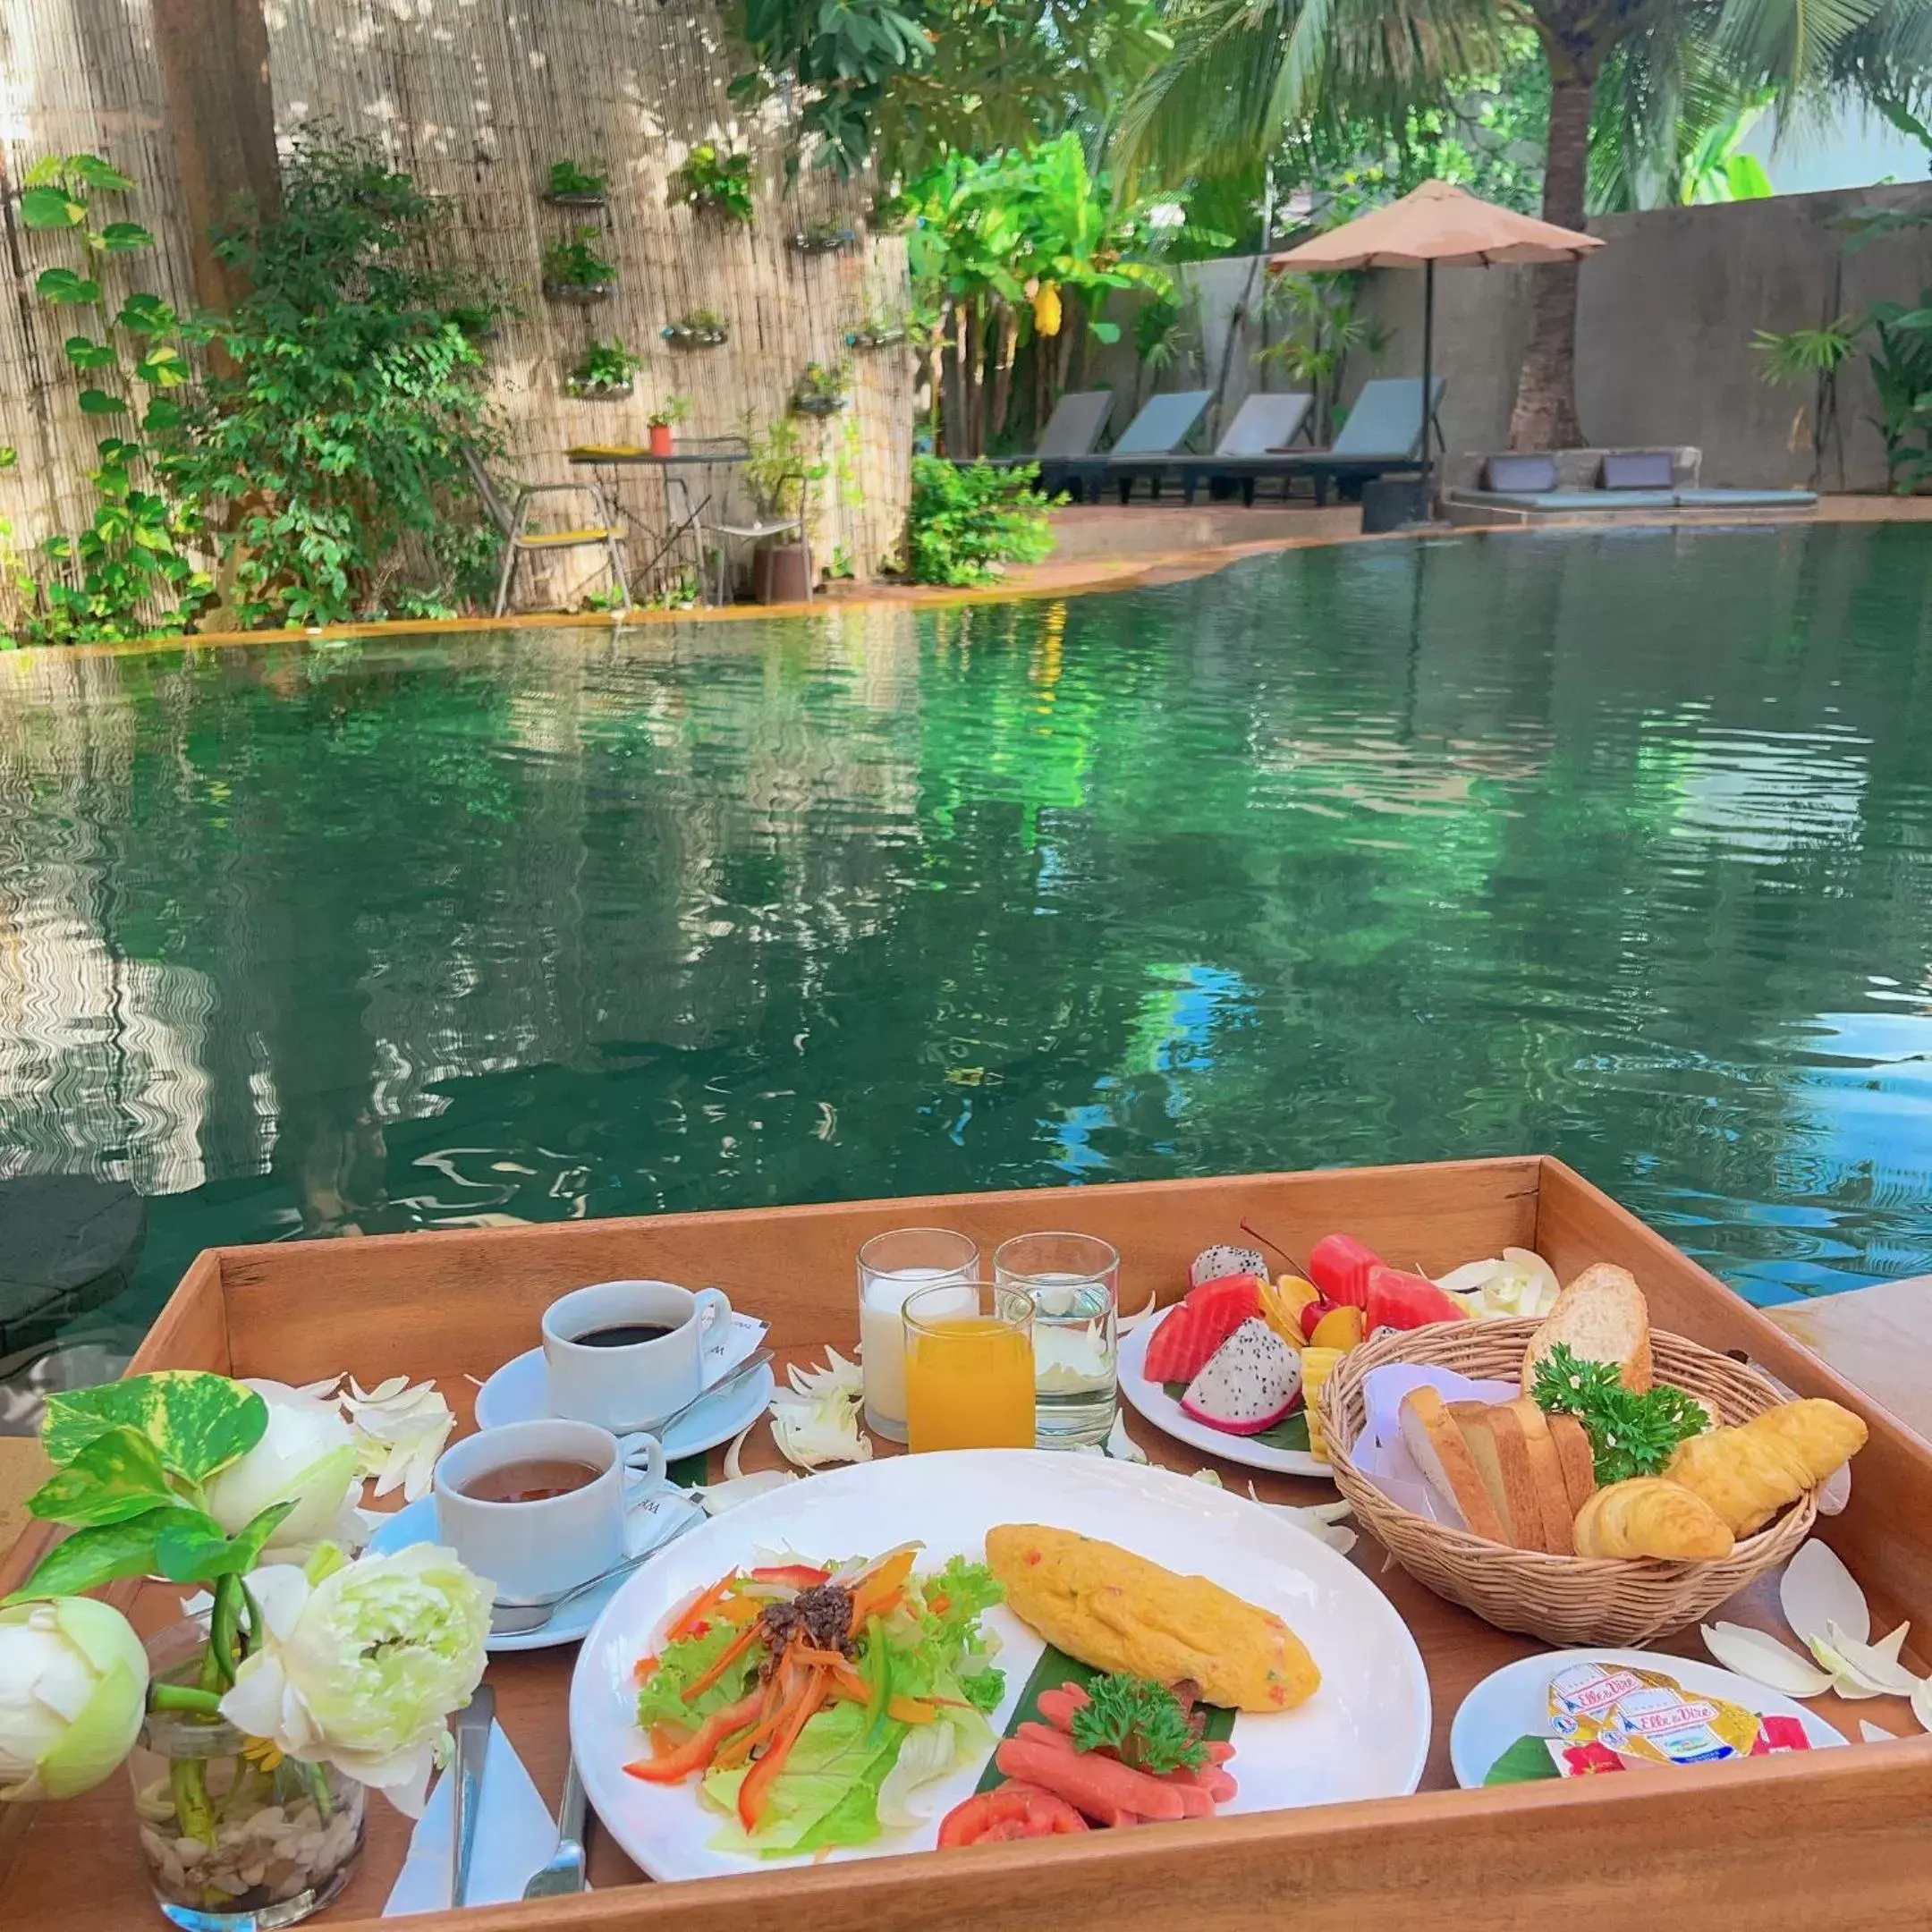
(1241, 71)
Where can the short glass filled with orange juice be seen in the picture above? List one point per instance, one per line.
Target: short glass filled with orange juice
(969, 1367)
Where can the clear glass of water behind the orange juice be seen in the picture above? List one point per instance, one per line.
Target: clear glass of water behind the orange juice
(1073, 1282)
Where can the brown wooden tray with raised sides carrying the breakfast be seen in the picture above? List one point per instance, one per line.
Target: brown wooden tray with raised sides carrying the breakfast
(1838, 1840)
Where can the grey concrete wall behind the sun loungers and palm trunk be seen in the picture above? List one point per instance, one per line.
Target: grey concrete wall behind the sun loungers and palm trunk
(1662, 337)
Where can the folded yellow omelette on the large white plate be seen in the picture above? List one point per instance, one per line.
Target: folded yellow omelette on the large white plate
(1120, 1612)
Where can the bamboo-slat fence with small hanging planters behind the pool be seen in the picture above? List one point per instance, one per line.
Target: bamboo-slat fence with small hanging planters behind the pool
(478, 99)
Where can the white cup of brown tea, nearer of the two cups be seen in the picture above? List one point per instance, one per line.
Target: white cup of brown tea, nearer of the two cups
(552, 1543)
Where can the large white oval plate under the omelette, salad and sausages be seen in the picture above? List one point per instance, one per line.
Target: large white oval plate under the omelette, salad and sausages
(1365, 1734)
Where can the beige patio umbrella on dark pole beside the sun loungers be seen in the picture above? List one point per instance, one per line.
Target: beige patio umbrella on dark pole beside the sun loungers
(1438, 223)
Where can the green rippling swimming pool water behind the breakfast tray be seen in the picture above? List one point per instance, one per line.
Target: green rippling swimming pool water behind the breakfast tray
(1614, 845)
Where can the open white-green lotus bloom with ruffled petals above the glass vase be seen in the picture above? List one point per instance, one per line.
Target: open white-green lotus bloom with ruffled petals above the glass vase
(364, 1668)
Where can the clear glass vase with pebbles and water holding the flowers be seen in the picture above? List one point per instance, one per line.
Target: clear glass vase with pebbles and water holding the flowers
(237, 1838)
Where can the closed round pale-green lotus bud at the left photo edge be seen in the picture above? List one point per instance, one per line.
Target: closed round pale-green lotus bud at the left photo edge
(72, 1695)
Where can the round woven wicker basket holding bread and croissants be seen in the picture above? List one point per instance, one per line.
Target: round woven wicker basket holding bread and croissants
(1564, 1601)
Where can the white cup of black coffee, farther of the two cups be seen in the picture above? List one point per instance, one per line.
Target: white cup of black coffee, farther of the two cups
(639, 1382)
